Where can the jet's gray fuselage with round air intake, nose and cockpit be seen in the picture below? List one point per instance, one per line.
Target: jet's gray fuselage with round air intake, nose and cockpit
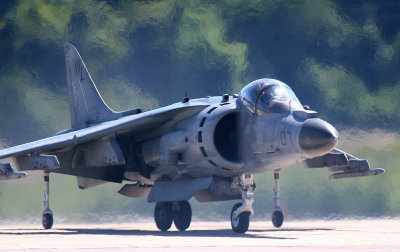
(227, 138)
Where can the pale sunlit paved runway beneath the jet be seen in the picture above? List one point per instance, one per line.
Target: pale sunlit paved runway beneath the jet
(351, 235)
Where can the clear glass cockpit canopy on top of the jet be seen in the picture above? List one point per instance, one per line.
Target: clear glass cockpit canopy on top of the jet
(269, 96)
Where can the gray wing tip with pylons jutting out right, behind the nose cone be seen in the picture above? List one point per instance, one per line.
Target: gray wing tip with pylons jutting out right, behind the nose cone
(343, 164)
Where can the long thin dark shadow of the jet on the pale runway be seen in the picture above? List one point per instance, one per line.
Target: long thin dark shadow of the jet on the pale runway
(136, 232)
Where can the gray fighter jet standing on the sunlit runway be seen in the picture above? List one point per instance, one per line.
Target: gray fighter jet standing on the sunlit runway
(209, 148)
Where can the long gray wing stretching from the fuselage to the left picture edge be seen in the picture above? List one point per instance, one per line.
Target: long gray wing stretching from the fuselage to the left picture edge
(133, 123)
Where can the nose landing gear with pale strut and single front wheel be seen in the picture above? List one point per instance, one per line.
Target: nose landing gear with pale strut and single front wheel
(241, 212)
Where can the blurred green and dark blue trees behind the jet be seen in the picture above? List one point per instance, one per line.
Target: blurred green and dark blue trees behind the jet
(340, 57)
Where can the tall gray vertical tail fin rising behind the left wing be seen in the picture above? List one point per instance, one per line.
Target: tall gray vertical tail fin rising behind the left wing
(86, 104)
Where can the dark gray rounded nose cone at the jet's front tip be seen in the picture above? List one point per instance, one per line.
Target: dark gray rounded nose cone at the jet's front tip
(317, 137)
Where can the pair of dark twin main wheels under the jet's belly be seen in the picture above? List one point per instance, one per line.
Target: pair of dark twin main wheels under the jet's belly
(178, 212)
